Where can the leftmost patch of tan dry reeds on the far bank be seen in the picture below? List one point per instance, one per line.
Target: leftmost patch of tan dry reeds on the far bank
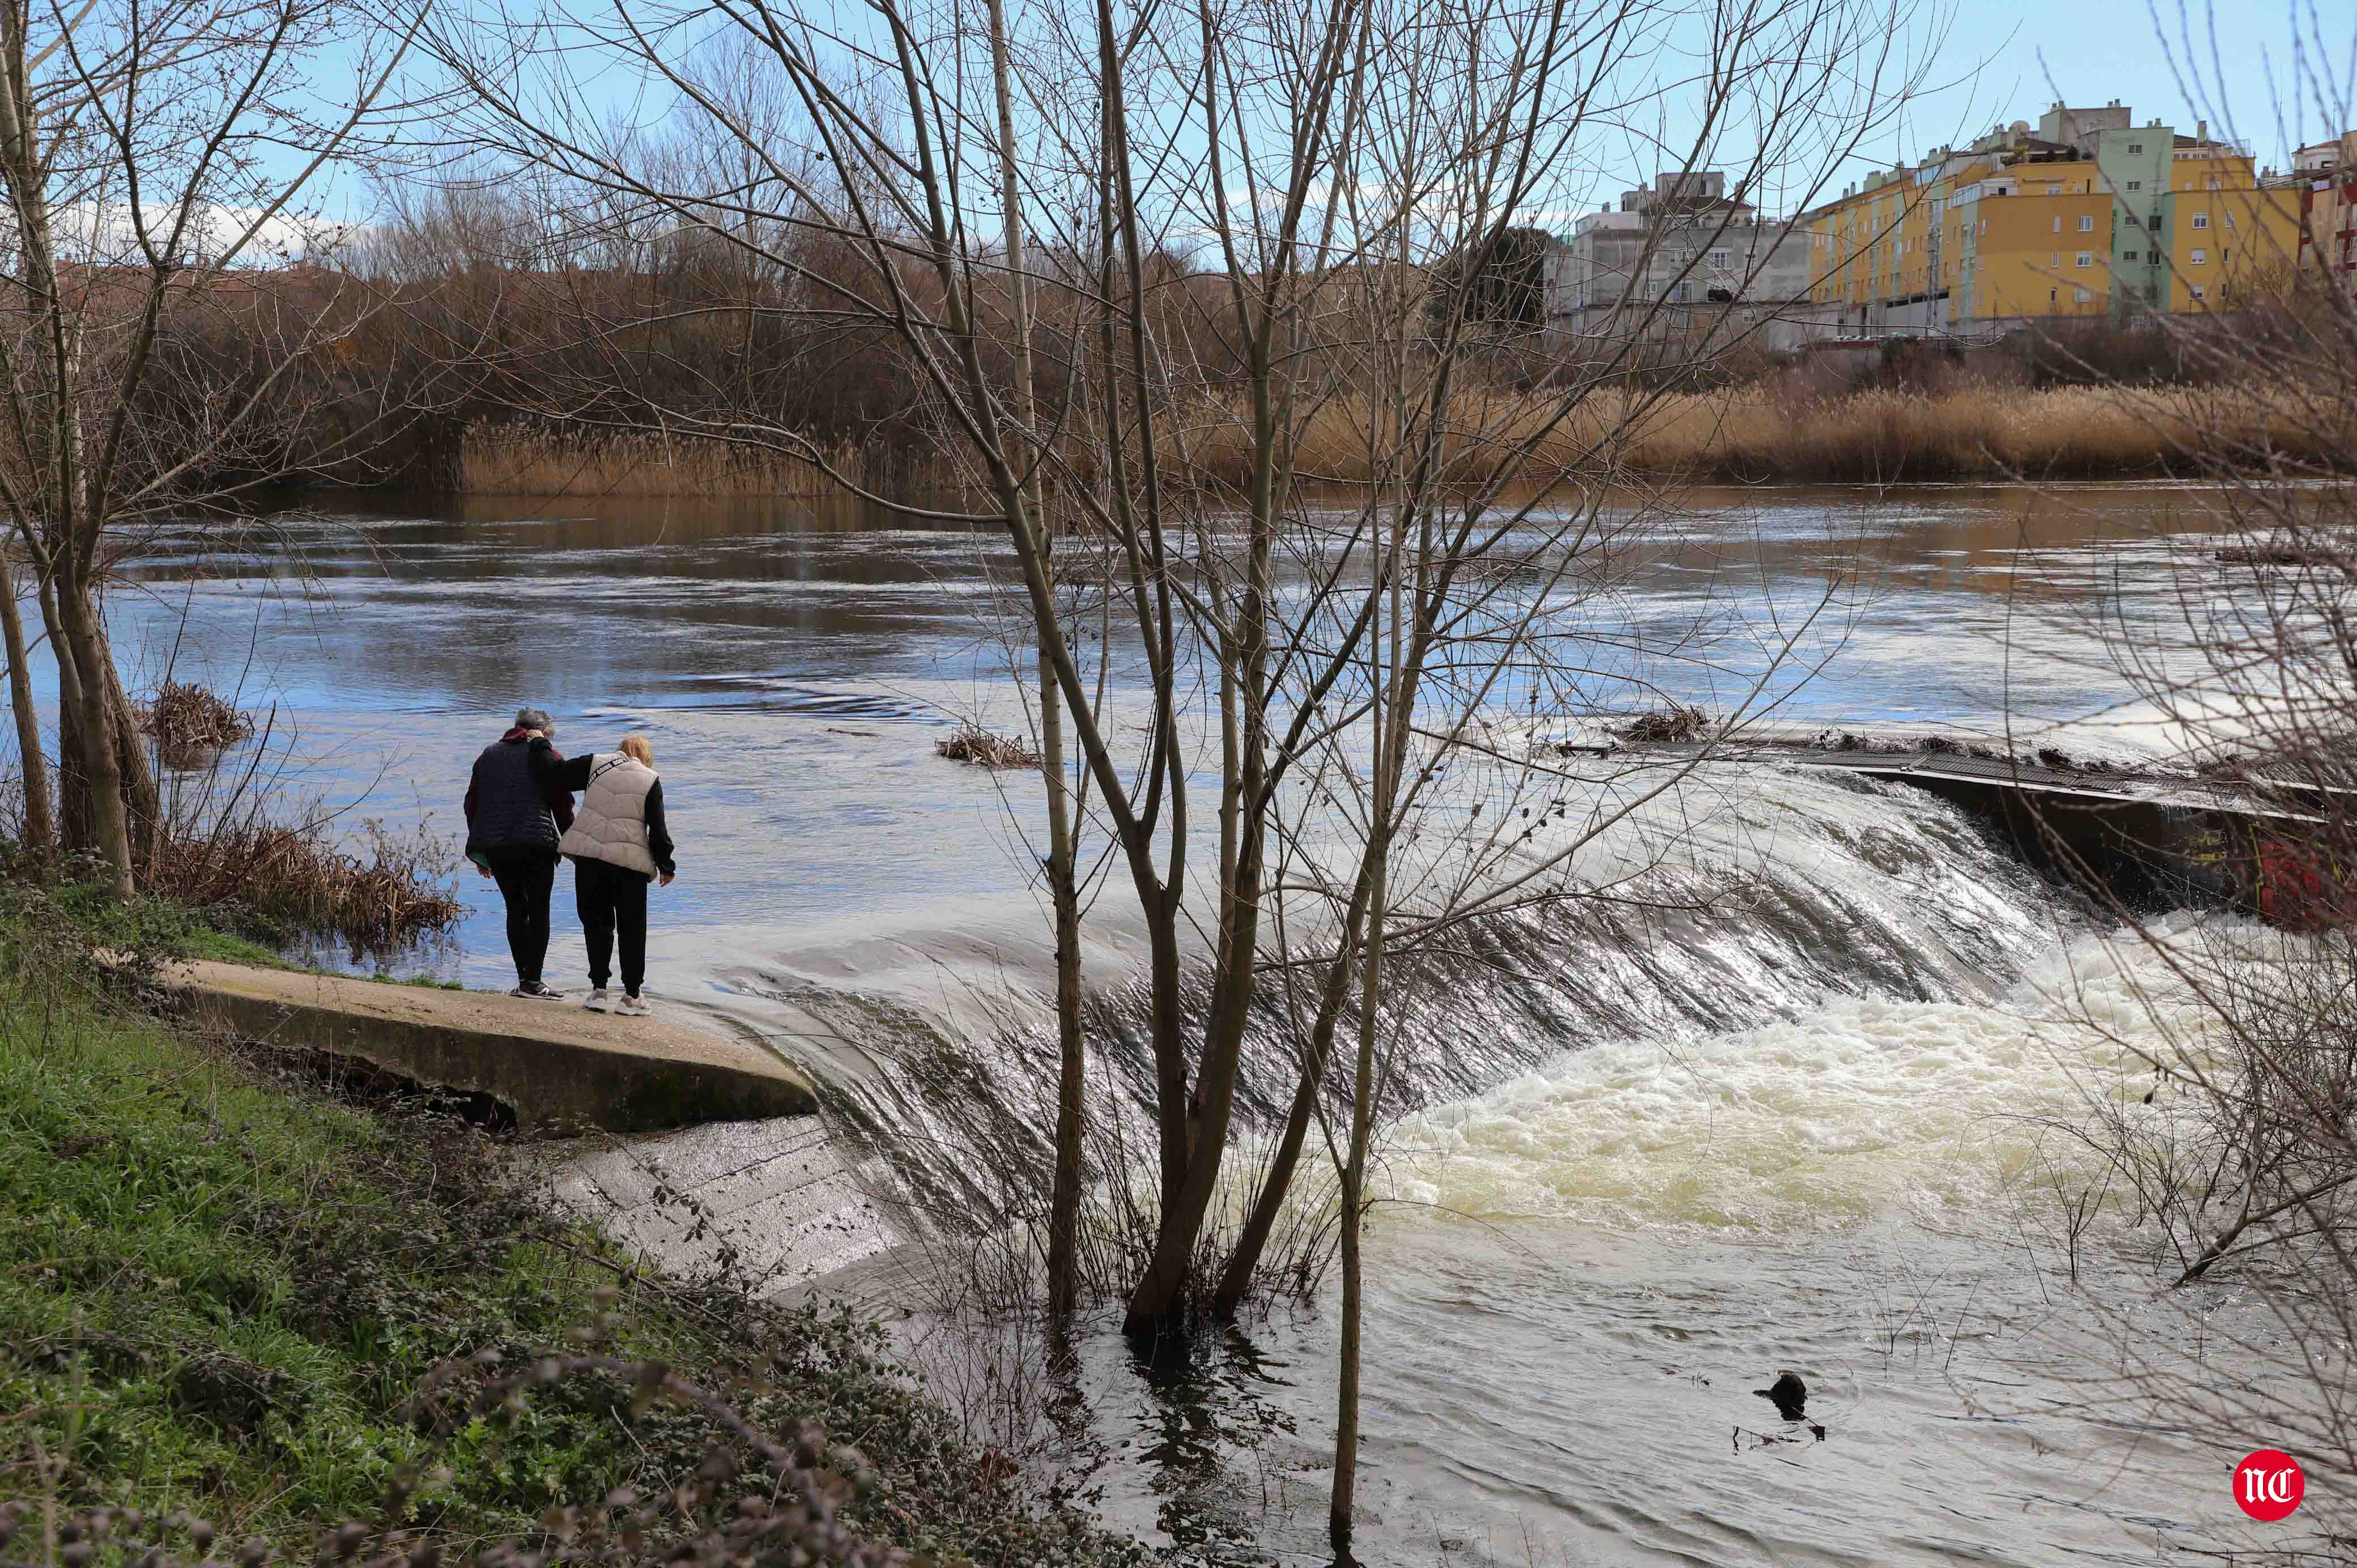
(522, 461)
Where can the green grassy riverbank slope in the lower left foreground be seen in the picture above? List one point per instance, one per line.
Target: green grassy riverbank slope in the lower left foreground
(223, 1282)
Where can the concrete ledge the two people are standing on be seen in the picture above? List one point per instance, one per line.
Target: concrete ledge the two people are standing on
(548, 1062)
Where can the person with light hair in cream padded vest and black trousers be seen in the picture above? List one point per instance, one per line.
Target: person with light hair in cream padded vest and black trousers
(619, 845)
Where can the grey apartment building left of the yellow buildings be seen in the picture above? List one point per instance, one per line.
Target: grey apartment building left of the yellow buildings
(1677, 263)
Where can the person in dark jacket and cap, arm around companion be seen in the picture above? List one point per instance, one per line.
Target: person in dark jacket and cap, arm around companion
(517, 810)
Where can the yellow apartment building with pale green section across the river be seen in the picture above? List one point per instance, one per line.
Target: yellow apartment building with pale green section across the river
(2082, 216)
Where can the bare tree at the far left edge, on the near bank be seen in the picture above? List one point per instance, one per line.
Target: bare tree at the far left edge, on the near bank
(159, 173)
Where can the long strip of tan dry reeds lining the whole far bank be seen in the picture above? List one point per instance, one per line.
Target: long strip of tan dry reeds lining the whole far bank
(1743, 435)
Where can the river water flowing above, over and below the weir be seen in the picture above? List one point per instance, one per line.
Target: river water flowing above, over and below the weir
(1656, 1159)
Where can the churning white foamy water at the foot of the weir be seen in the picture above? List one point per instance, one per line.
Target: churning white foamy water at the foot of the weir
(1854, 1112)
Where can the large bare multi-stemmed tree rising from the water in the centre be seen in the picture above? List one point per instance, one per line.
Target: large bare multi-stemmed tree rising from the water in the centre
(1161, 294)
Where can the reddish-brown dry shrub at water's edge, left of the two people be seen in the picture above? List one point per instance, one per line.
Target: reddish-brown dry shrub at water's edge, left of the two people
(392, 892)
